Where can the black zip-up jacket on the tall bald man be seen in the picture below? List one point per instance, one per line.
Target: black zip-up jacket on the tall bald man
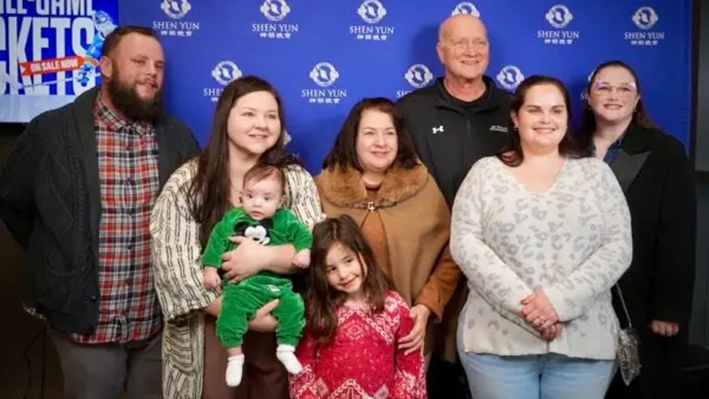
(451, 135)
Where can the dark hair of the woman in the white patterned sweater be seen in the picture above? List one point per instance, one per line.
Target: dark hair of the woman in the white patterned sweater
(511, 153)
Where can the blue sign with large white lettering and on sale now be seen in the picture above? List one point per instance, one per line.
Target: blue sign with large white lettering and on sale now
(49, 51)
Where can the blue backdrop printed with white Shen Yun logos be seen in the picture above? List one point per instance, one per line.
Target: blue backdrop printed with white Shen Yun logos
(325, 55)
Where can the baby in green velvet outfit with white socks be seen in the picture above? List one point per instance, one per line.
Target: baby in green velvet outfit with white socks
(261, 219)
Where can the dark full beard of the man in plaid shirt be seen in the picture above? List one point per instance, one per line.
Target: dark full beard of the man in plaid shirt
(127, 101)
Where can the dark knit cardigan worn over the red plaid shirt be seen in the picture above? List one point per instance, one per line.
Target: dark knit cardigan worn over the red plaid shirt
(50, 201)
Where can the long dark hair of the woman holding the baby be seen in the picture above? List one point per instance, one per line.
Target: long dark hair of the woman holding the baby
(208, 194)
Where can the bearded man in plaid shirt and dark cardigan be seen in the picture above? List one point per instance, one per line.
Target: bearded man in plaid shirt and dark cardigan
(76, 193)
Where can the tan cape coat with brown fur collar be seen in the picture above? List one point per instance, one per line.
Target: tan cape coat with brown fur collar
(417, 226)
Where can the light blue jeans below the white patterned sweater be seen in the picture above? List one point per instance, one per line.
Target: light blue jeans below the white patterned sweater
(548, 376)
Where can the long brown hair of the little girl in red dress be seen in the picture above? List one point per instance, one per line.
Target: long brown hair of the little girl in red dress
(322, 300)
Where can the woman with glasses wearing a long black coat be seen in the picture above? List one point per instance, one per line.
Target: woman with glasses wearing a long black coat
(657, 178)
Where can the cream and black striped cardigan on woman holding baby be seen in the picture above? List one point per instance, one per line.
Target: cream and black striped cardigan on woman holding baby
(176, 255)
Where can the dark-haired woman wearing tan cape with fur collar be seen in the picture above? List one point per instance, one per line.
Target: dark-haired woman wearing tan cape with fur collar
(373, 174)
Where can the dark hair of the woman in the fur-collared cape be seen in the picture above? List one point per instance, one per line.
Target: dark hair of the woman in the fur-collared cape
(344, 153)
